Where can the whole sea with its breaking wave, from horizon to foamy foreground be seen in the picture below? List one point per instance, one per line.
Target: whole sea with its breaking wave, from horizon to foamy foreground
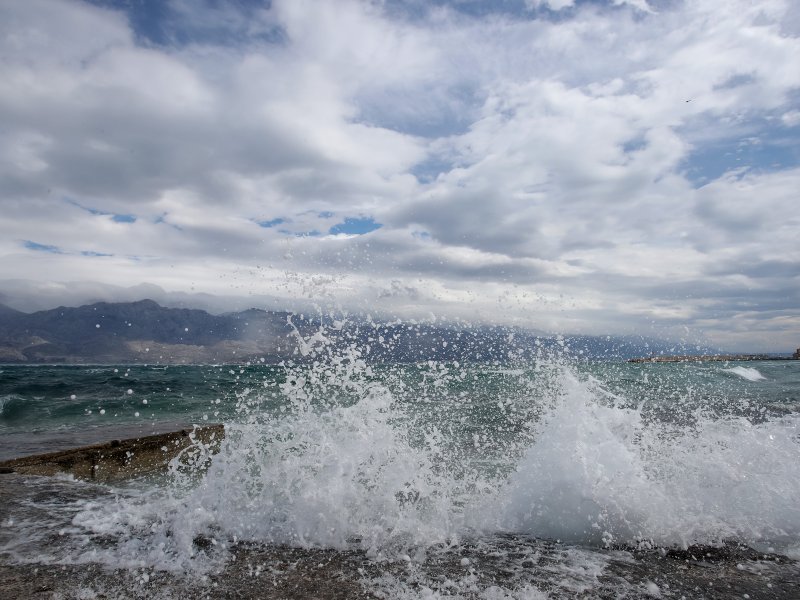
(548, 476)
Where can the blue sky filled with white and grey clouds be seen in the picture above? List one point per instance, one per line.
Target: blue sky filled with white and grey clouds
(576, 166)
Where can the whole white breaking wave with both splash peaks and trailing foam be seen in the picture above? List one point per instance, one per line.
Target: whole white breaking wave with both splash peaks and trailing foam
(344, 458)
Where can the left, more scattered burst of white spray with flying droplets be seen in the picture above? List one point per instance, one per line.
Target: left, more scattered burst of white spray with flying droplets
(344, 465)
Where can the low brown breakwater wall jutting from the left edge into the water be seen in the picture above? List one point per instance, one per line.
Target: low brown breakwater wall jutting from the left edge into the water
(118, 459)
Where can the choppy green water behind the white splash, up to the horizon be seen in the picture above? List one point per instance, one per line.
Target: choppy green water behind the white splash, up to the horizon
(48, 407)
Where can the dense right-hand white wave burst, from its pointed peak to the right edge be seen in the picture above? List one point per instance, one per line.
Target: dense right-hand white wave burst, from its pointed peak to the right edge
(599, 473)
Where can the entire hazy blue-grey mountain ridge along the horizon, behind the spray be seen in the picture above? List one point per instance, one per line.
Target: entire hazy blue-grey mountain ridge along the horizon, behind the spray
(145, 332)
